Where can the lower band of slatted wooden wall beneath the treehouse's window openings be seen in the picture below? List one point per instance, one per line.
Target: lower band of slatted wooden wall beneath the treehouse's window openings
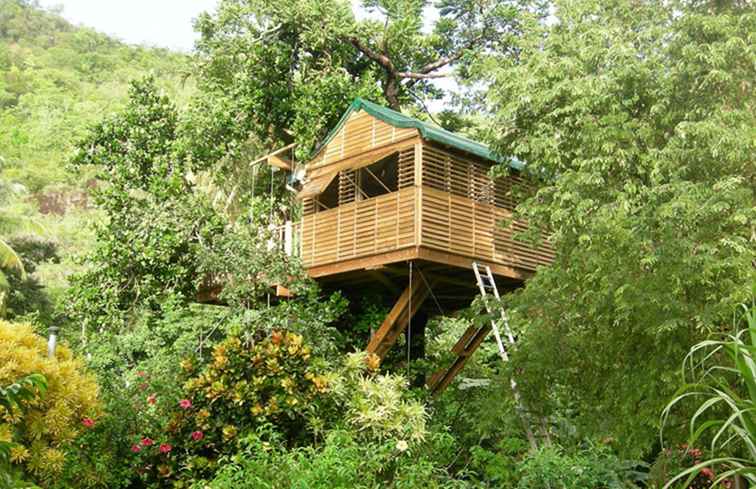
(417, 217)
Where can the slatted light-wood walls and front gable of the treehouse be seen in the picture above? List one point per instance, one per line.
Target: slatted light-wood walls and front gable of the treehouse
(446, 202)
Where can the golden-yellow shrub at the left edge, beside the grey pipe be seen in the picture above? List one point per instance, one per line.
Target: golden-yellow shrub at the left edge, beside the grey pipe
(50, 423)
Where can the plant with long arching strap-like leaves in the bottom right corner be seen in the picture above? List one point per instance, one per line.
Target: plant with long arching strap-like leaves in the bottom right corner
(730, 386)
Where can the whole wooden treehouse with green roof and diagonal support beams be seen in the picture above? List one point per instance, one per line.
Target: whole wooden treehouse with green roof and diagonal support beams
(392, 201)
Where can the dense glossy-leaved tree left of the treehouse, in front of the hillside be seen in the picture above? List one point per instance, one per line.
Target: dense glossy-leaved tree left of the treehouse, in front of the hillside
(149, 246)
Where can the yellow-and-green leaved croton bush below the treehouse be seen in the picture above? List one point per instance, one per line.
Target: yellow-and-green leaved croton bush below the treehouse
(272, 380)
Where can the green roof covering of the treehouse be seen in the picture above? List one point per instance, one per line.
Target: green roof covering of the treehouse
(427, 131)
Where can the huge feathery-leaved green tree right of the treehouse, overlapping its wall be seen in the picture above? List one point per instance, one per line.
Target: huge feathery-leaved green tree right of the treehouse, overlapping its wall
(636, 122)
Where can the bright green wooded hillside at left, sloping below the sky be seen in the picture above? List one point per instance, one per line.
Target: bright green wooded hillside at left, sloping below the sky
(57, 79)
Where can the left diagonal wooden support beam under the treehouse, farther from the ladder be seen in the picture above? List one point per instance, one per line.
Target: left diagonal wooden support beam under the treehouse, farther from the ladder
(398, 317)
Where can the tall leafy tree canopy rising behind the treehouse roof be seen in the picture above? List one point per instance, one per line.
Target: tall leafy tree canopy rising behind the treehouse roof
(282, 71)
